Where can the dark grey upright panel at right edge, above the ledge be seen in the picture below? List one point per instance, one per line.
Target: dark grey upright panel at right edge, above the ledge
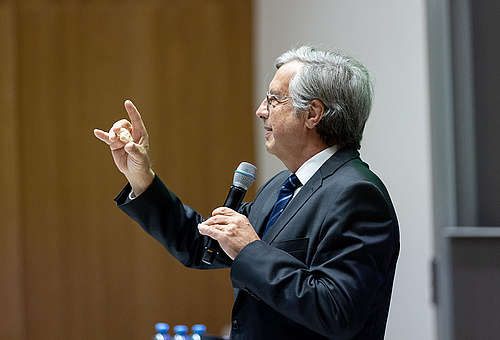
(486, 45)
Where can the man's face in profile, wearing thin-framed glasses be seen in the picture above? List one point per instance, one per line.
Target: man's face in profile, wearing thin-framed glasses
(284, 128)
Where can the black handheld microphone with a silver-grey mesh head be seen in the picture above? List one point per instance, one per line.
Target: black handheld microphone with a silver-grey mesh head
(243, 178)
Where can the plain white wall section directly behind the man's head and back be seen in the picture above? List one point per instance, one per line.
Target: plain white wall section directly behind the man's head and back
(390, 38)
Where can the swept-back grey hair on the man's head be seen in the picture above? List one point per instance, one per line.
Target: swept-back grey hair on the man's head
(341, 82)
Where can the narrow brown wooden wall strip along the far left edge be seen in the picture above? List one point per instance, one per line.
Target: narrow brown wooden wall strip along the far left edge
(11, 246)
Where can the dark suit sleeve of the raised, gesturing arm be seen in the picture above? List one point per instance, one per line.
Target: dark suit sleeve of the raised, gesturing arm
(175, 225)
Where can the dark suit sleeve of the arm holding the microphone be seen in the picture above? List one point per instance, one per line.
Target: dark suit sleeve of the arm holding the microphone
(333, 294)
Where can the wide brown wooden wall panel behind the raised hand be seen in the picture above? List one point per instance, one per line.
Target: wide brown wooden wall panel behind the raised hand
(87, 270)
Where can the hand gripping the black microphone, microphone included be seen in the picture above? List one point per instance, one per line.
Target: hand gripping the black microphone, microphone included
(228, 229)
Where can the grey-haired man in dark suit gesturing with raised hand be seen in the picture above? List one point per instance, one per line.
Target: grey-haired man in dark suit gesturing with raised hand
(324, 267)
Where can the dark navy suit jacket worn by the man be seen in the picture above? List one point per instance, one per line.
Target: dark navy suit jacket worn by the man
(323, 271)
